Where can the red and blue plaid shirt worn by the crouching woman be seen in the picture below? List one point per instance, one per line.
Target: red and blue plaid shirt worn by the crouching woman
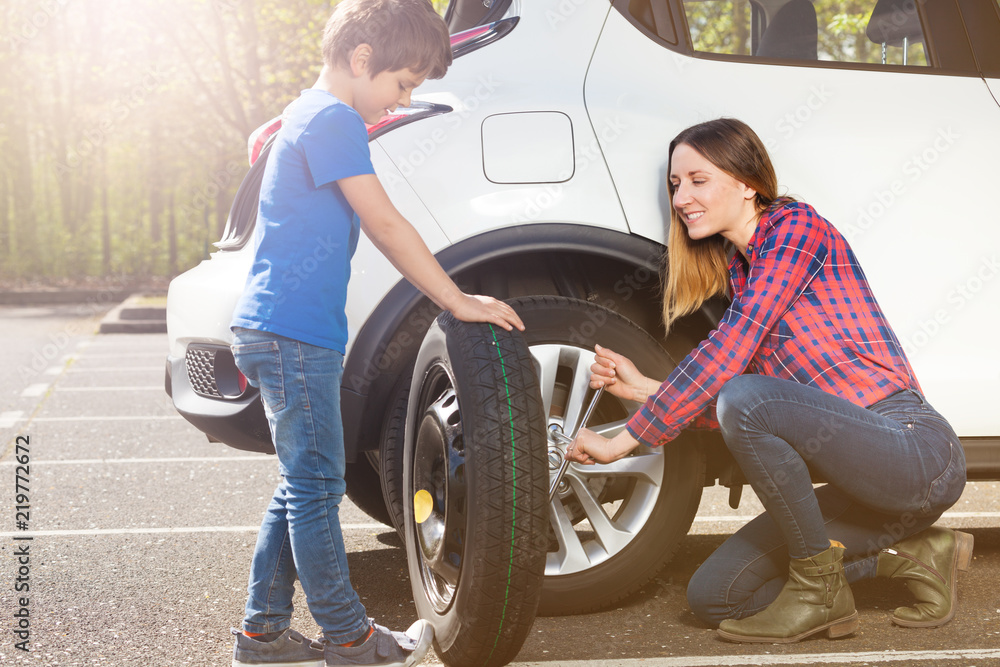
(802, 311)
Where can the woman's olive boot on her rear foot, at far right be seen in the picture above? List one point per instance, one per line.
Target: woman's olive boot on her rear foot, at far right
(929, 563)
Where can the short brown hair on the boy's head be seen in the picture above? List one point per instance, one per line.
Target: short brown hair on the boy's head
(402, 33)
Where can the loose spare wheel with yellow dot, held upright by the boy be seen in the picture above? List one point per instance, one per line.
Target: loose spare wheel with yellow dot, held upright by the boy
(474, 480)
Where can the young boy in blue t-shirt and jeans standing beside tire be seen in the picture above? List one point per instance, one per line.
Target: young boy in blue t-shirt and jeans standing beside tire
(290, 328)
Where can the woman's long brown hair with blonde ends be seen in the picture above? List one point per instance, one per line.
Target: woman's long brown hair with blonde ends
(696, 270)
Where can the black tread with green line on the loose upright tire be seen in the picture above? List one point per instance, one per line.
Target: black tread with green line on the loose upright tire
(509, 546)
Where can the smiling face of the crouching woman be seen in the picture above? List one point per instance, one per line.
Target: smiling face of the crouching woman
(708, 200)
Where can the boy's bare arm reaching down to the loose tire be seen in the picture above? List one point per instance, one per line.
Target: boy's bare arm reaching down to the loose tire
(402, 245)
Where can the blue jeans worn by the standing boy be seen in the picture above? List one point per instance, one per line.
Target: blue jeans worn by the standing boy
(300, 534)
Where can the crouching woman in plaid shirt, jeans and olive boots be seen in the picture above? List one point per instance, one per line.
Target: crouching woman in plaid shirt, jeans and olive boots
(802, 374)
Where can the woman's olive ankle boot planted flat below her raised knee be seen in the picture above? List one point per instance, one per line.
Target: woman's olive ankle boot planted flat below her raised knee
(815, 598)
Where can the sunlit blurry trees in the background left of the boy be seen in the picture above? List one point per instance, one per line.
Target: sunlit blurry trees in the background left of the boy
(124, 124)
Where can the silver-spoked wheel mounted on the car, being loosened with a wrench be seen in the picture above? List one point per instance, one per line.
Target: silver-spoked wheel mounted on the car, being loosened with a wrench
(612, 527)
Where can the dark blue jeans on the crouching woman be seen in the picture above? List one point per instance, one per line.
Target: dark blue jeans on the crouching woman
(891, 471)
